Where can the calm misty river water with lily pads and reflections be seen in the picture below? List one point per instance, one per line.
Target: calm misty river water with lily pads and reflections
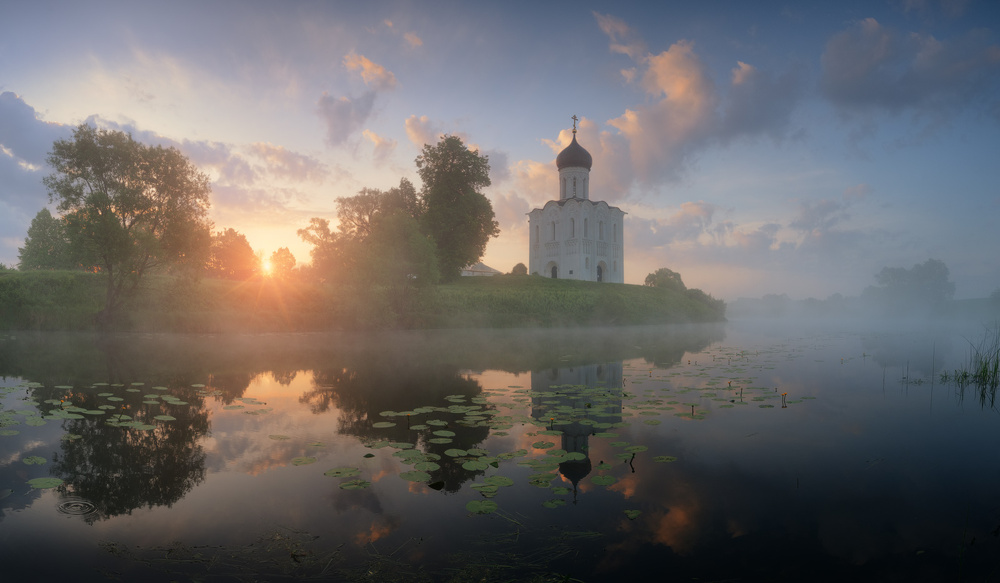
(739, 452)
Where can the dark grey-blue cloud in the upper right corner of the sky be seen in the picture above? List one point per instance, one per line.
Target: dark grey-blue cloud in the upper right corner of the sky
(872, 67)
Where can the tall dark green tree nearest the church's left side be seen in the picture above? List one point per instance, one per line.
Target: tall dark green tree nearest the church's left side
(458, 218)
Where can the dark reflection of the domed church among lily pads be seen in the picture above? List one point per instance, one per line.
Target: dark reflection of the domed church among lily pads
(576, 401)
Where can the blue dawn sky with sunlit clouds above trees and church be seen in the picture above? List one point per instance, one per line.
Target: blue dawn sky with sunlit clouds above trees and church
(756, 147)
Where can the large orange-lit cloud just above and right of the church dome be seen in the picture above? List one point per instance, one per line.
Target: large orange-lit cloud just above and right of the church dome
(685, 111)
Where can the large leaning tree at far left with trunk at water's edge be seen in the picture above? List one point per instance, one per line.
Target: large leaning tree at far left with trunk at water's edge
(129, 207)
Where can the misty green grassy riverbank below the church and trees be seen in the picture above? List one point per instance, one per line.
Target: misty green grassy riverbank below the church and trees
(69, 300)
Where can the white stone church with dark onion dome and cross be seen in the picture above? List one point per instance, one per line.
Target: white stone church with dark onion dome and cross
(575, 237)
